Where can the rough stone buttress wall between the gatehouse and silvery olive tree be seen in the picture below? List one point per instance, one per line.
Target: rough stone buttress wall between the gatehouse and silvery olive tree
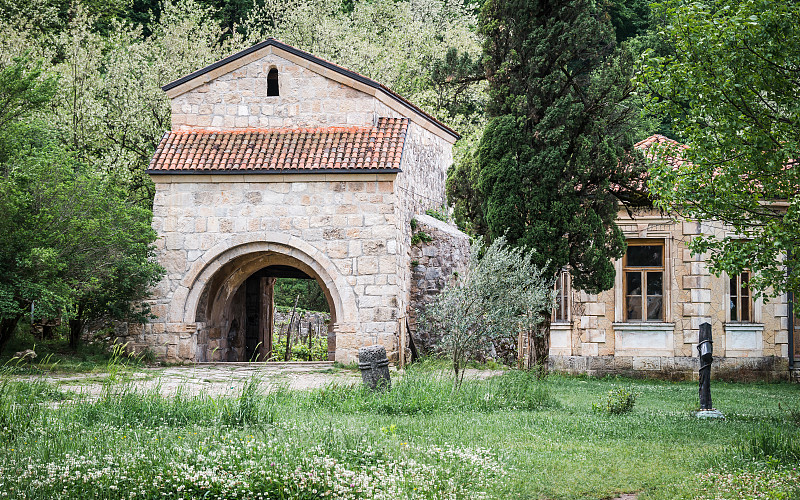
(432, 266)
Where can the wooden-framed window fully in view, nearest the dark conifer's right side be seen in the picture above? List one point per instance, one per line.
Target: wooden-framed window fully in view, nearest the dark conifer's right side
(643, 280)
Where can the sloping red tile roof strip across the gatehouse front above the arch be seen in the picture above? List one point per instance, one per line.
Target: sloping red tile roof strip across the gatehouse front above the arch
(299, 150)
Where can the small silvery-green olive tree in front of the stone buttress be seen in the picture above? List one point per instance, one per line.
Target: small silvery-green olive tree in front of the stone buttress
(501, 293)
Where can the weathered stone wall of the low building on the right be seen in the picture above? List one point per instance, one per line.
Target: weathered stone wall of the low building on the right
(599, 341)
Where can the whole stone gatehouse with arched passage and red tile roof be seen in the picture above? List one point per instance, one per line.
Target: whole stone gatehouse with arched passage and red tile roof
(281, 164)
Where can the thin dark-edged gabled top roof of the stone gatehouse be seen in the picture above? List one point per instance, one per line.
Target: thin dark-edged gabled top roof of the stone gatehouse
(322, 65)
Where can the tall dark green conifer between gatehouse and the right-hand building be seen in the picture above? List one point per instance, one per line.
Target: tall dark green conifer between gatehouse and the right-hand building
(548, 164)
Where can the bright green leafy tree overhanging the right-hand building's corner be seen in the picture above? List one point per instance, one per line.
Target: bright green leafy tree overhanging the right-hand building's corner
(732, 90)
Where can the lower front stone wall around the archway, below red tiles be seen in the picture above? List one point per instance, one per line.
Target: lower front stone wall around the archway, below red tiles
(346, 222)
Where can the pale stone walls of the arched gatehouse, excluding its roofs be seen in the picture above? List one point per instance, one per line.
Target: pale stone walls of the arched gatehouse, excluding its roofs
(360, 228)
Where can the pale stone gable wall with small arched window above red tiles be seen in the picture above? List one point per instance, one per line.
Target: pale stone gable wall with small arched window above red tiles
(238, 99)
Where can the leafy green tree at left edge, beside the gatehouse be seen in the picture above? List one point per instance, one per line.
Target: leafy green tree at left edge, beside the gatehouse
(72, 244)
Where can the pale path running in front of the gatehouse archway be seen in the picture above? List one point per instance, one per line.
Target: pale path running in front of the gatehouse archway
(222, 378)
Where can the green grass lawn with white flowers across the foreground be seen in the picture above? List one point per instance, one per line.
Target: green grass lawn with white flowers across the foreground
(508, 437)
